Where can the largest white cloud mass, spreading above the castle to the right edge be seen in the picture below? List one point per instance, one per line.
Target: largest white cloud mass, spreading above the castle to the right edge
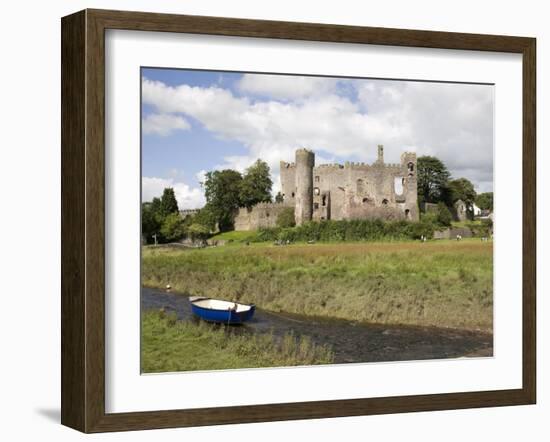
(451, 121)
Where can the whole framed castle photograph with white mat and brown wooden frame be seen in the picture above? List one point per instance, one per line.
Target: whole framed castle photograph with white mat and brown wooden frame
(267, 220)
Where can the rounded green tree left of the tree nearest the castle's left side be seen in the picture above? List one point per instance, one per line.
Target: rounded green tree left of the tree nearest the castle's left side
(222, 192)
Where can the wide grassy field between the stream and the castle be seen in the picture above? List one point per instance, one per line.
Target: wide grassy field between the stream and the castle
(438, 283)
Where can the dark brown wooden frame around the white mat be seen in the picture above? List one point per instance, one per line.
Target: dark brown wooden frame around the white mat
(83, 215)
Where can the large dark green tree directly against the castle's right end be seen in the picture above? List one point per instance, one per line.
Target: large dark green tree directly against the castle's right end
(433, 177)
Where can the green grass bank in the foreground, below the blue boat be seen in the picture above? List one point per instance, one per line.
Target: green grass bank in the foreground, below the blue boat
(170, 345)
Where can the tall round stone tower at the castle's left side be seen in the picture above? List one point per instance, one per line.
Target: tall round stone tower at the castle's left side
(305, 160)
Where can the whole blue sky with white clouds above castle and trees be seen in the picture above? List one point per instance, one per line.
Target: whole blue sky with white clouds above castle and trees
(196, 121)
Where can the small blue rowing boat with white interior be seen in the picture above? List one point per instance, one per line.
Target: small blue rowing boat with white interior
(216, 310)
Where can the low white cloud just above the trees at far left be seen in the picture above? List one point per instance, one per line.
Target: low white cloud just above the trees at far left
(188, 197)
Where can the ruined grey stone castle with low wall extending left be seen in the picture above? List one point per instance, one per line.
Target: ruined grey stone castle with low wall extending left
(334, 191)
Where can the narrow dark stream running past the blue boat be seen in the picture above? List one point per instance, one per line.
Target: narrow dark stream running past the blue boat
(350, 341)
